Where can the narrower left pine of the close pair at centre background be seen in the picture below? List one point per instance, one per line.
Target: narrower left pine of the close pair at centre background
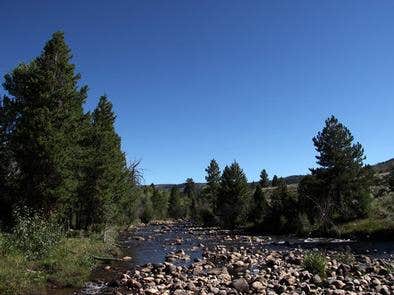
(213, 184)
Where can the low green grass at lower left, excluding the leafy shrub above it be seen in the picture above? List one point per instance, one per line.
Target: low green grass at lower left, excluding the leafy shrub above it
(67, 264)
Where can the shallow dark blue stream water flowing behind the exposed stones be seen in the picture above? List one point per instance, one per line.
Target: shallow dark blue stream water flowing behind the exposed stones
(151, 244)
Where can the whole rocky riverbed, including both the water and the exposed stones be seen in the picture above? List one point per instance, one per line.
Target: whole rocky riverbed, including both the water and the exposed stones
(182, 259)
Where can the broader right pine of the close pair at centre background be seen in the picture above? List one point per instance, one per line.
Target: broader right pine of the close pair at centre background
(233, 196)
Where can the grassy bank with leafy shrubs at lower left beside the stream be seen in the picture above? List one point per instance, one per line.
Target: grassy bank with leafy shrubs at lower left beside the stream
(30, 264)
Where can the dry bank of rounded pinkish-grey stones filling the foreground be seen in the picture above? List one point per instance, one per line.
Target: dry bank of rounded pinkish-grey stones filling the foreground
(240, 271)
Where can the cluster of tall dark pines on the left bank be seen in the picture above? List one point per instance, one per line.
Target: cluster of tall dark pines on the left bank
(56, 158)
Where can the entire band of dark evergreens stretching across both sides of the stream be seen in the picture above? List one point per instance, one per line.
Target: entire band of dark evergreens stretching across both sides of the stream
(58, 160)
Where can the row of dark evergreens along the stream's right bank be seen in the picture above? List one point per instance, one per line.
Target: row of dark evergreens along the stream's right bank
(339, 190)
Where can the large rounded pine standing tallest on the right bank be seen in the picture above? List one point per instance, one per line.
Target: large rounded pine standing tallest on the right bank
(342, 176)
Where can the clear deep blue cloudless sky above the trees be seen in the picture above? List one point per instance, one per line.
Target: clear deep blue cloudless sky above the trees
(245, 80)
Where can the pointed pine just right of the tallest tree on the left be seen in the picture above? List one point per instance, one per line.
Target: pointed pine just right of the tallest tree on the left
(108, 179)
